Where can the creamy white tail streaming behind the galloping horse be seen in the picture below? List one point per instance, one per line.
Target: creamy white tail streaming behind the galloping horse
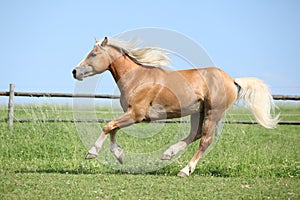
(258, 99)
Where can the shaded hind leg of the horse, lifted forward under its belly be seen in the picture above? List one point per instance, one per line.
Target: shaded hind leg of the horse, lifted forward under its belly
(195, 133)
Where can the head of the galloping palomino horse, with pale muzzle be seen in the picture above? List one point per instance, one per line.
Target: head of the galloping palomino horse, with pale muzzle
(96, 62)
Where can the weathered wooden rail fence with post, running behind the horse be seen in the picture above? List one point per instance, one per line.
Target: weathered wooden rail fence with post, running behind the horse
(11, 93)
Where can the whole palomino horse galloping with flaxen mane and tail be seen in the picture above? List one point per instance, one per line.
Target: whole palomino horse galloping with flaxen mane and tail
(149, 92)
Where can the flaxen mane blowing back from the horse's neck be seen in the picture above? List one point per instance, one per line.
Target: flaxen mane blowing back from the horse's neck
(146, 56)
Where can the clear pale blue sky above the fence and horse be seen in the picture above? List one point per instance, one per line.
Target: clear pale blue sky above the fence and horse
(41, 41)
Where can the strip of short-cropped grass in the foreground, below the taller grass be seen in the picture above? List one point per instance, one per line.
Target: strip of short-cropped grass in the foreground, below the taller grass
(124, 186)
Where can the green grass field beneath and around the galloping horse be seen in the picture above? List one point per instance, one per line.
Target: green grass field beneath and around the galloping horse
(42, 160)
